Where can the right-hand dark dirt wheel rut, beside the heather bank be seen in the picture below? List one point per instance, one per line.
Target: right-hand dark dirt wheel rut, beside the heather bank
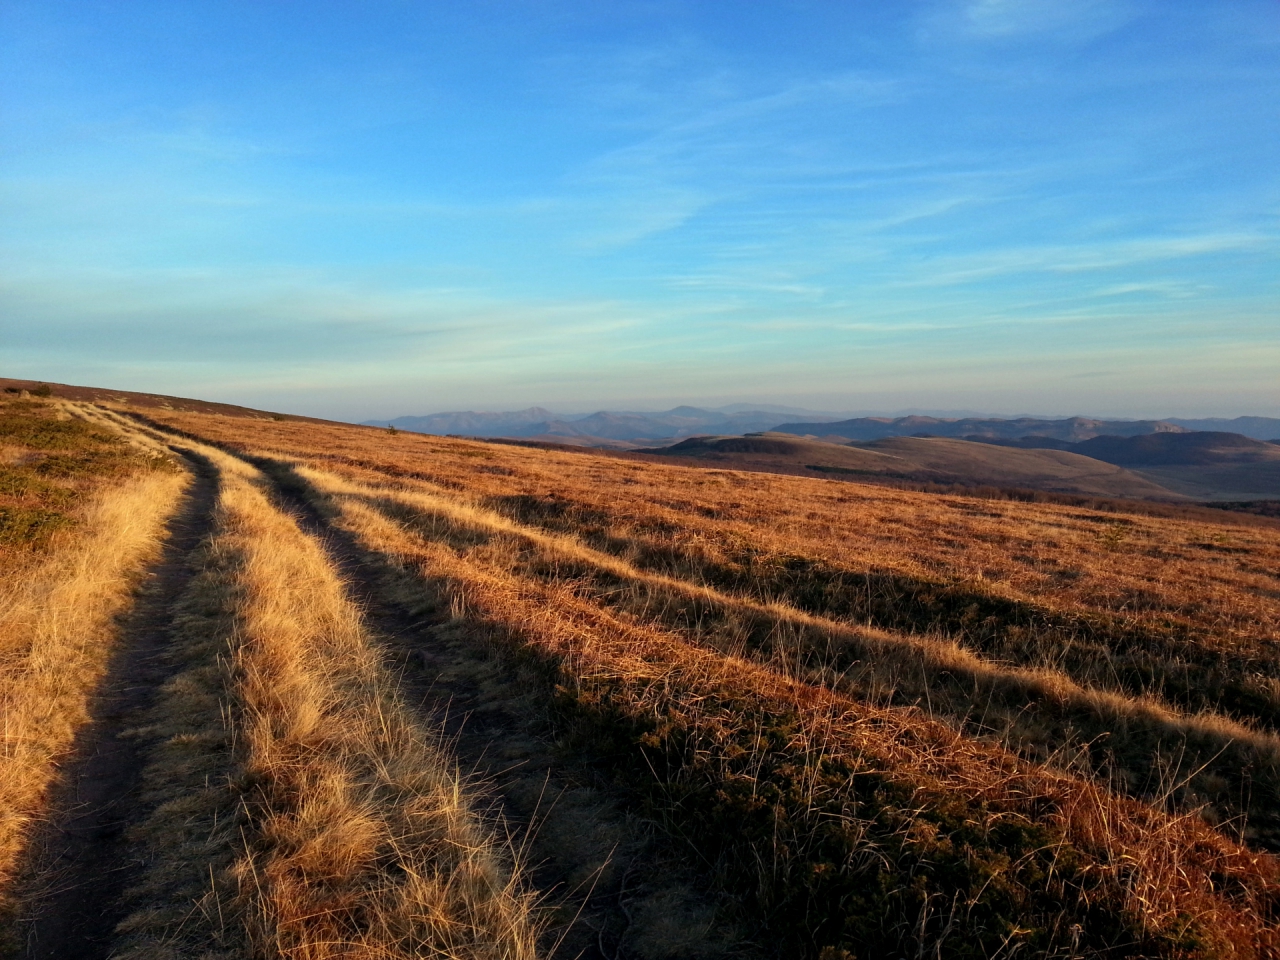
(618, 890)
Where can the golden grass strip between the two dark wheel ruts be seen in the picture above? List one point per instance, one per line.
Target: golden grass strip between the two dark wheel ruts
(356, 838)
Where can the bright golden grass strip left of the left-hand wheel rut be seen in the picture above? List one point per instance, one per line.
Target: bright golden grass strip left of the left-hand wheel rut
(57, 629)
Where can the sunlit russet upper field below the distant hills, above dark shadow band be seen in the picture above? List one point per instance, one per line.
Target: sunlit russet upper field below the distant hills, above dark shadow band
(1209, 584)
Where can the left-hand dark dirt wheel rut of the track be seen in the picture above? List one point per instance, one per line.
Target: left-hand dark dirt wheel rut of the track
(81, 860)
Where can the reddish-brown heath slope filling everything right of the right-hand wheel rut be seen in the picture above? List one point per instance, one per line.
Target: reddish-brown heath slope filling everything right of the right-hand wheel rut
(884, 721)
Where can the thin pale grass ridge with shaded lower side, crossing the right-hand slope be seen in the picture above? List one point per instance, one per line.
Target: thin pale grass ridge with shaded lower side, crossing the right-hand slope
(1232, 766)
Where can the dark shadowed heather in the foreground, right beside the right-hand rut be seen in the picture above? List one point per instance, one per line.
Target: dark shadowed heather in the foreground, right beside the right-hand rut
(825, 849)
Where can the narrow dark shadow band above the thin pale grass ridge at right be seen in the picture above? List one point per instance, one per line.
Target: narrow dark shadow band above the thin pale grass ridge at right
(1094, 650)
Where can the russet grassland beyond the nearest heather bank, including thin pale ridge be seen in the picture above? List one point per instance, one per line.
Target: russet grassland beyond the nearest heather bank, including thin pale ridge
(1181, 691)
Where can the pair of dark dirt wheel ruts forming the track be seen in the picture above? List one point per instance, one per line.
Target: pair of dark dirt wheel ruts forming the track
(612, 885)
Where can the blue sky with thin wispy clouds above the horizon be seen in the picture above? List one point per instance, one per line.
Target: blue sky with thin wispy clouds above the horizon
(360, 211)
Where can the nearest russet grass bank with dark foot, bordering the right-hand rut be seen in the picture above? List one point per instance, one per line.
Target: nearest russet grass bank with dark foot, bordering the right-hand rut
(849, 826)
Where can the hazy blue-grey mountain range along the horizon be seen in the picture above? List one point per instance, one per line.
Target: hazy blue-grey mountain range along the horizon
(621, 428)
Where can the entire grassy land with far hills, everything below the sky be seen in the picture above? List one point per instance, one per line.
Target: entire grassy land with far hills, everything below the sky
(286, 688)
